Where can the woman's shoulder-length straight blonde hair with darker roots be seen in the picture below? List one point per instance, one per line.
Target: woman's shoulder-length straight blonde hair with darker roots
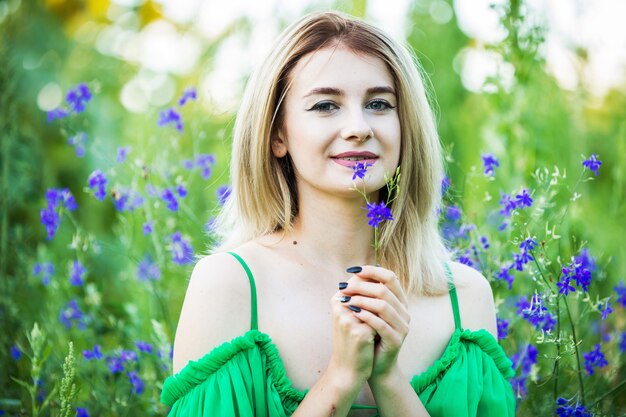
(264, 195)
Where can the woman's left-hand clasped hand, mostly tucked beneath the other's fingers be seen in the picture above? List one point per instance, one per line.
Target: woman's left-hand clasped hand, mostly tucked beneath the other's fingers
(353, 346)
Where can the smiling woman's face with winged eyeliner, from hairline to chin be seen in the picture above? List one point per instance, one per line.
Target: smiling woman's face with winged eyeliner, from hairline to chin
(341, 108)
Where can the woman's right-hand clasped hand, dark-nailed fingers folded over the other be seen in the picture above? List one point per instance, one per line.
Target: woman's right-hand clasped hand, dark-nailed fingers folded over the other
(384, 307)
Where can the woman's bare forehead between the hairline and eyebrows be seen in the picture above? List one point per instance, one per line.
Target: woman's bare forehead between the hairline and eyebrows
(339, 67)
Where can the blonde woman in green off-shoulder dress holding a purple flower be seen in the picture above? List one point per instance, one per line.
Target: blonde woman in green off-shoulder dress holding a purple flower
(296, 260)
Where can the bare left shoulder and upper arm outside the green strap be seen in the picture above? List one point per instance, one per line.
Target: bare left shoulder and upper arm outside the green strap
(213, 311)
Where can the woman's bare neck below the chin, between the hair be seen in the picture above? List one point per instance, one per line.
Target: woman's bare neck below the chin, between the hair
(333, 231)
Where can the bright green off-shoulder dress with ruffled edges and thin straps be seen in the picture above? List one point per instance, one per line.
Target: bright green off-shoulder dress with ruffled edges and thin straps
(246, 377)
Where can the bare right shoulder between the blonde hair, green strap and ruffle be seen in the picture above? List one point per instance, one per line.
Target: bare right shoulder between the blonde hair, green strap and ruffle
(475, 296)
